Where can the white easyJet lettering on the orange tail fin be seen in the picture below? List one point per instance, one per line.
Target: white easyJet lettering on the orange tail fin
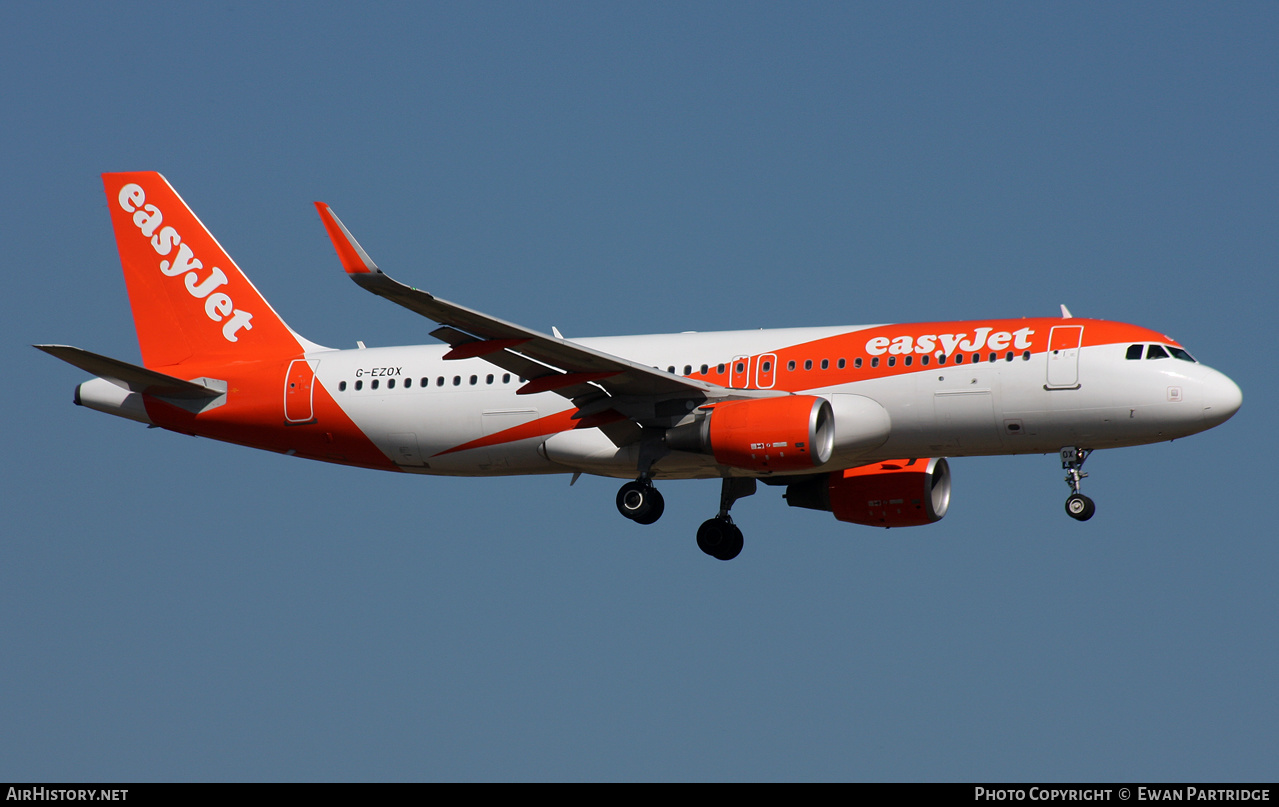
(219, 306)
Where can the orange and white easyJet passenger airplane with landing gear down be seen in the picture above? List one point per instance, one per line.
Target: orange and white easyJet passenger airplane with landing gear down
(858, 421)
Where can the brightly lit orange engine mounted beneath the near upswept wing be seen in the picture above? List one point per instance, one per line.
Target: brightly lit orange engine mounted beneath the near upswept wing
(765, 434)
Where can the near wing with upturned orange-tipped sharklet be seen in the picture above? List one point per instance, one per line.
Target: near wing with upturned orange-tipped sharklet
(595, 382)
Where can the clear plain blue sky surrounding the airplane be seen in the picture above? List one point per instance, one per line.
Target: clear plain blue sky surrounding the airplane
(178, 609)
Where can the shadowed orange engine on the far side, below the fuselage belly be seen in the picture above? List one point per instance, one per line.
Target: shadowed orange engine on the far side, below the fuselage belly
(897, 493)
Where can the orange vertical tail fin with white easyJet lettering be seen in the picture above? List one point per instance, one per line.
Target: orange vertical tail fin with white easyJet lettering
(190, 300)
